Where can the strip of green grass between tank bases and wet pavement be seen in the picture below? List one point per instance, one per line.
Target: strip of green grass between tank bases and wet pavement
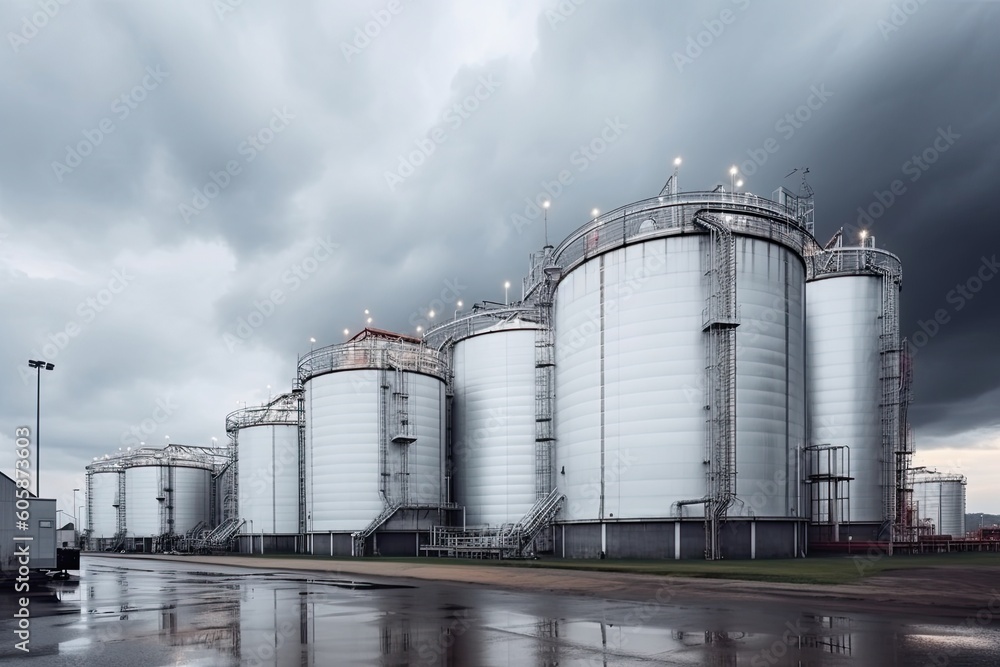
(813, 570)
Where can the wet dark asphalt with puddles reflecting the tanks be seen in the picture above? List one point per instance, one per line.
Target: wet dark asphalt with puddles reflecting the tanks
(124, 612)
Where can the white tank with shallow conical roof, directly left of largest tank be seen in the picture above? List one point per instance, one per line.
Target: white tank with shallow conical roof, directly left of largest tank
(494, 417)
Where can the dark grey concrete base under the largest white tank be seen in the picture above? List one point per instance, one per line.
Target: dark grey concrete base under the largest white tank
(741, 539)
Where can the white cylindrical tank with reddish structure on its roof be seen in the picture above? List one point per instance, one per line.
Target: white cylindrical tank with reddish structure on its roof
(374, 429)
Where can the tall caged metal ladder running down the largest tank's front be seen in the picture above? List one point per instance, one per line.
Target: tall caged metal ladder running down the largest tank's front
(720, 319)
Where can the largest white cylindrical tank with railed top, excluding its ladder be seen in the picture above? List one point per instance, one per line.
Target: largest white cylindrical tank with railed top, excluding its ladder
(632, 350)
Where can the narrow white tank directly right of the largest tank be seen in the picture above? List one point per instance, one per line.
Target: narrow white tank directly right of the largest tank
(845, 327)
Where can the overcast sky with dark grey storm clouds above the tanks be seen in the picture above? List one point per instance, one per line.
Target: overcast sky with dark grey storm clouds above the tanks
(189, 191)
